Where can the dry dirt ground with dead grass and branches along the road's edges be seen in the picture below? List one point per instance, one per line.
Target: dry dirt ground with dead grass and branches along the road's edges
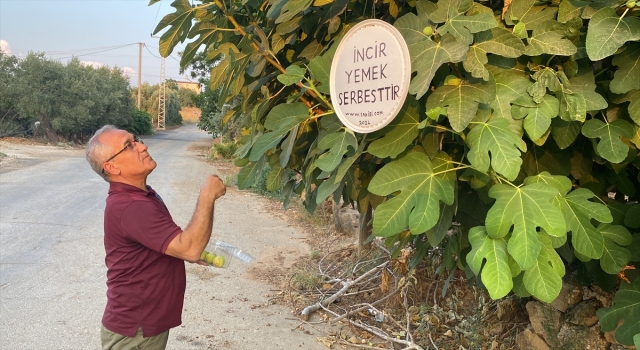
(387, 304)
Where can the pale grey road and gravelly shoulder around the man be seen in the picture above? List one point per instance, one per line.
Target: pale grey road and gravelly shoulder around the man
(52, 271)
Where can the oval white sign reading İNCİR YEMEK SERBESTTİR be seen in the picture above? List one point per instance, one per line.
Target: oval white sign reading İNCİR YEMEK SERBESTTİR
(370, 76)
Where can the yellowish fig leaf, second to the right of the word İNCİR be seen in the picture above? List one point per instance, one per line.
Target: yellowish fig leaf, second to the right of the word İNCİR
(497, 41)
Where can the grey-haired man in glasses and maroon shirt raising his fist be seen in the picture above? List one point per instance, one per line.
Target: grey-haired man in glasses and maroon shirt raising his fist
(145, 249)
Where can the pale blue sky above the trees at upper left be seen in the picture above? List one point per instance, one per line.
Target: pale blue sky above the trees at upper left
(64, 28)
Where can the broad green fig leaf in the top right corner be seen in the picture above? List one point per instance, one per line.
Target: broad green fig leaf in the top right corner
(608, 32)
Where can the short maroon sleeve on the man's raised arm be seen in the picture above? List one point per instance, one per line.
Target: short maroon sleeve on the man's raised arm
(149, 225)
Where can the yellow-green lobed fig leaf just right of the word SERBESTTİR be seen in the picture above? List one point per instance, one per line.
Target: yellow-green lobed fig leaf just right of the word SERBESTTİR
(462, 101)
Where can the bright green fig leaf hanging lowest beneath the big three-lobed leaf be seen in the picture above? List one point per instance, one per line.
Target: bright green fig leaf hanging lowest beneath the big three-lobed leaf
(544, 278)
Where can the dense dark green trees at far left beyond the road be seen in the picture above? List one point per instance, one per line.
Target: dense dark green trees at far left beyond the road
(69, 101)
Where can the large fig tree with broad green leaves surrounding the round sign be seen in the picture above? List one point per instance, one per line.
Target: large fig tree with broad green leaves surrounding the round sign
(516, 151)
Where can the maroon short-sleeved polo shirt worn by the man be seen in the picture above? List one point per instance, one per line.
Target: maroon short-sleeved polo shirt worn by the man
(145, 287)
